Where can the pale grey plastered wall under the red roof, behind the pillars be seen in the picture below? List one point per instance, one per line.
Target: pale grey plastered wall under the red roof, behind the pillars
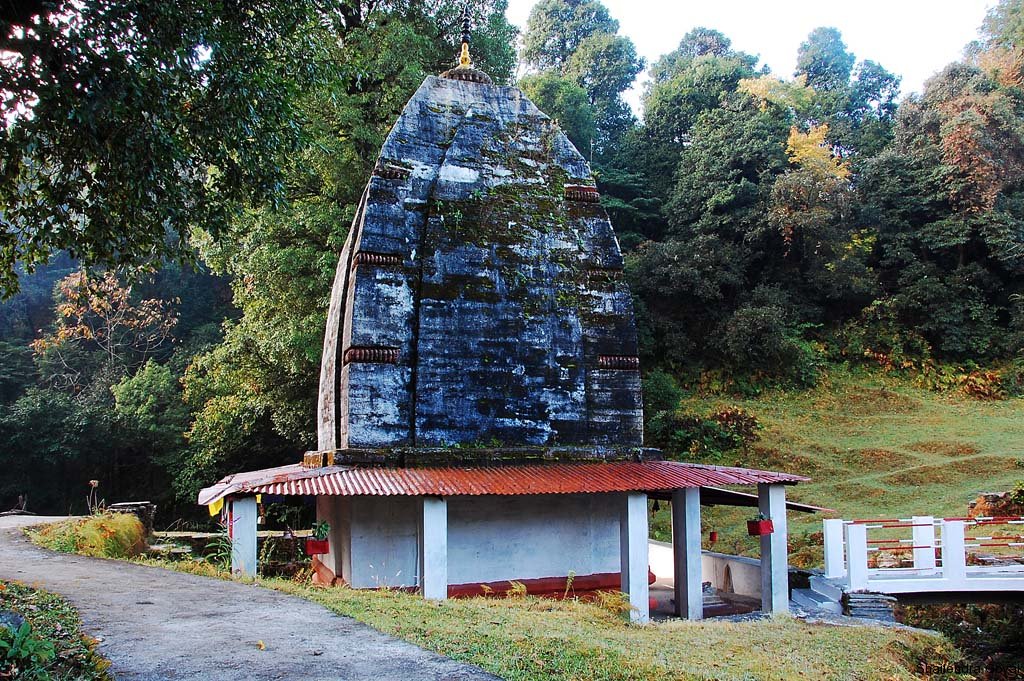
(490, 539)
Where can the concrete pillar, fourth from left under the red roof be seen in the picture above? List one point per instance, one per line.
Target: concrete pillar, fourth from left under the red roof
(687, 551)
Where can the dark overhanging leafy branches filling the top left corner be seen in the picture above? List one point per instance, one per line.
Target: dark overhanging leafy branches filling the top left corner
(125, 124)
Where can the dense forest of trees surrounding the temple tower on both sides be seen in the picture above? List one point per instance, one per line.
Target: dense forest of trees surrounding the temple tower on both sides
(776, 227)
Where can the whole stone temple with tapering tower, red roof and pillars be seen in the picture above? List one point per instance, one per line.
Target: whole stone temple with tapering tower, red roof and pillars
(480, 414)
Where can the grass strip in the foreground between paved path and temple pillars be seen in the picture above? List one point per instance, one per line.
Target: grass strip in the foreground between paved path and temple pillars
(528, 640)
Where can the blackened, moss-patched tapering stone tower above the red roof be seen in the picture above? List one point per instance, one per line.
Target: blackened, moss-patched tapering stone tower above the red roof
(480, 300)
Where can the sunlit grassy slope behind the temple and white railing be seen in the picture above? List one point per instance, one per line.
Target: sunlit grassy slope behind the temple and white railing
(875, 447)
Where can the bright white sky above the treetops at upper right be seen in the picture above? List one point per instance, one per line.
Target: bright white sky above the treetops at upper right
(912, 38)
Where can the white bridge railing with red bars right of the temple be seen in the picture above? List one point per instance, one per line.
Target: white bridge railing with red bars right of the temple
(940, 561)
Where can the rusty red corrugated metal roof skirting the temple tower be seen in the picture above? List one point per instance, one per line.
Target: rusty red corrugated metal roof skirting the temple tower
(540, 480)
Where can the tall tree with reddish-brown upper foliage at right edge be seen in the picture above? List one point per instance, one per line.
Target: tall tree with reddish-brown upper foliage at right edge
(949, 205)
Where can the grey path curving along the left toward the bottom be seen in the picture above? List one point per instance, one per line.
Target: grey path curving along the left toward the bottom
(157, 624)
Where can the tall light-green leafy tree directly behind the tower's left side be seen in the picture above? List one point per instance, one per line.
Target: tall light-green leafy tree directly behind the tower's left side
(254, 395)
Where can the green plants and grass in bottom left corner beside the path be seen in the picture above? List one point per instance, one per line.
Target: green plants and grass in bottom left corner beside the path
(56, 648)
